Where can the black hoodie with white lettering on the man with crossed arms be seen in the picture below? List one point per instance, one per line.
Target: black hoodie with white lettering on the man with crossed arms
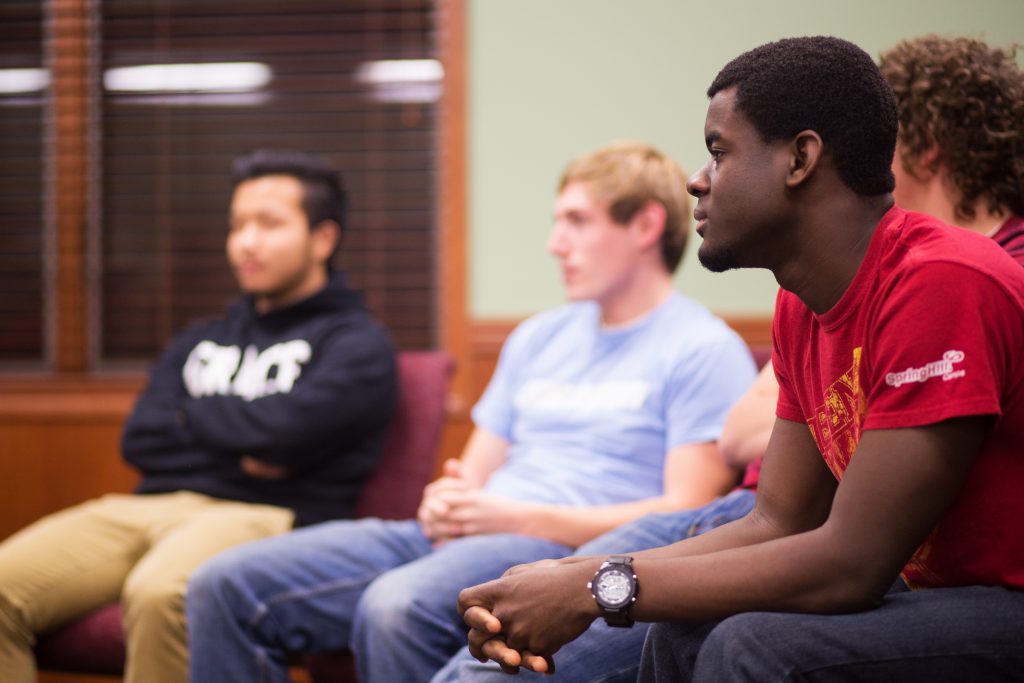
(310, 388)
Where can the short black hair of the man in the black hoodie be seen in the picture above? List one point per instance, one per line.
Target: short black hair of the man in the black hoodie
(324, 196)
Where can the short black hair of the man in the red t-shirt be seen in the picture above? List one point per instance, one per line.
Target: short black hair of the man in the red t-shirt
(824, 84)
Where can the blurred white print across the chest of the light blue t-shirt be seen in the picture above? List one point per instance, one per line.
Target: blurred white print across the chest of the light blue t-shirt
(587, 398)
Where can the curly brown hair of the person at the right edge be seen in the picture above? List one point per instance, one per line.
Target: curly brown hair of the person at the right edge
(968, 100)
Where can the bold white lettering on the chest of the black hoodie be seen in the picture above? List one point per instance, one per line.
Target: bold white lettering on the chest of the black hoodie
(216, 370)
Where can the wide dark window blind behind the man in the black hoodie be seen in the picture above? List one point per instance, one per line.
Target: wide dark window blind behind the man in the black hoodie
(167, 149)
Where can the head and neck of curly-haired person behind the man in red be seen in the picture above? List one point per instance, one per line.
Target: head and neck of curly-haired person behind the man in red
(960, 154)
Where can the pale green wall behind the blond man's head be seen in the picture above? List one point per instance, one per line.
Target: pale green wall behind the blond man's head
(552, 79)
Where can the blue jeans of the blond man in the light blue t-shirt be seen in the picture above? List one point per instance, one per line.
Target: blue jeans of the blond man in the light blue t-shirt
(378, 587)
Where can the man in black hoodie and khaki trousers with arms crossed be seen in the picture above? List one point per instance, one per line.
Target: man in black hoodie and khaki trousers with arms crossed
(271, 417)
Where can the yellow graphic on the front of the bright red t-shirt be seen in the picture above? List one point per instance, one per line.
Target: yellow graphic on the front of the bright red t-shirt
(838, 422)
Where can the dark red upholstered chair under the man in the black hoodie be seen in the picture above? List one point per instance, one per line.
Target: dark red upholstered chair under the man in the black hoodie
(95, 644)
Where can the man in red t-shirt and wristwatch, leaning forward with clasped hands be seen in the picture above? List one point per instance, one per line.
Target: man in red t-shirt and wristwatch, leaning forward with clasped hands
(900, 444)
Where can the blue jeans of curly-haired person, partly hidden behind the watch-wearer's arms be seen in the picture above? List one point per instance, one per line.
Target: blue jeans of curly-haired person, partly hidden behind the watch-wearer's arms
(603, 654)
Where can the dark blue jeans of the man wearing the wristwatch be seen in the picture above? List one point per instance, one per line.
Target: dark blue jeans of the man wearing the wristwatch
(946, 635)
